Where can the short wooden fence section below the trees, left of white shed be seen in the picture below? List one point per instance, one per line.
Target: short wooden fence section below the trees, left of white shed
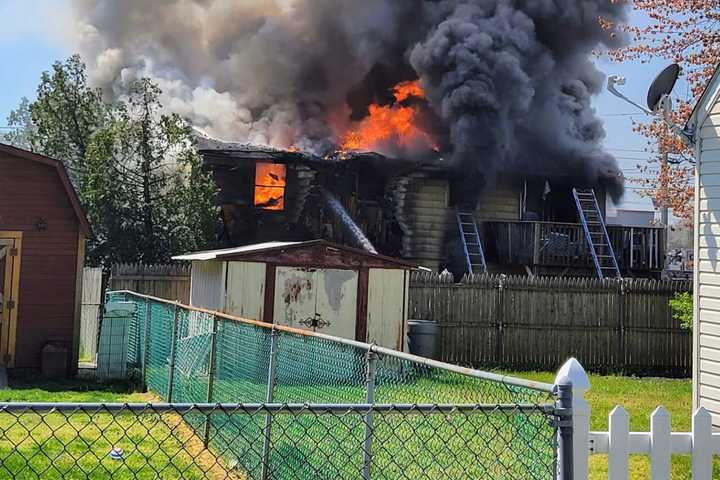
(171, 282)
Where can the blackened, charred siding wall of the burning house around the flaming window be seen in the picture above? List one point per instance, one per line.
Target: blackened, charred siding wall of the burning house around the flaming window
(404, 211)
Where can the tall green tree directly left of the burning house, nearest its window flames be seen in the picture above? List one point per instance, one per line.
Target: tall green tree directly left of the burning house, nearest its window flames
(152, 198)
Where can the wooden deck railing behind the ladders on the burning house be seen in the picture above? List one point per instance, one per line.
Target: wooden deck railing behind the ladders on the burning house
(554, 244)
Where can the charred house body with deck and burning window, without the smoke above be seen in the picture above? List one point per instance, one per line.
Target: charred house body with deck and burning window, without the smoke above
(408, 209)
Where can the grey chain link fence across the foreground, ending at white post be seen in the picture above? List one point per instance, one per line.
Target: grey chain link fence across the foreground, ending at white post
(78, 441)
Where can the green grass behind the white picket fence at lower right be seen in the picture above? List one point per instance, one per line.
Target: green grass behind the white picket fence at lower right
(639, 397)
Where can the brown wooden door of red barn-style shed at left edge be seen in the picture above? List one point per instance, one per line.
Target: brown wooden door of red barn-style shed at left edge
(9, 286)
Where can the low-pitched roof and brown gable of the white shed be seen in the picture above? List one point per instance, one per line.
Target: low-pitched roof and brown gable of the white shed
(305, 253)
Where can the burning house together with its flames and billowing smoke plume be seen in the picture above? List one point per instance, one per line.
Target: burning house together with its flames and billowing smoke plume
(489, 152)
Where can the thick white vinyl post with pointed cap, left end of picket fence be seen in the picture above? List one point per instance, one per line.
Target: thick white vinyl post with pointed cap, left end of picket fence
(574, 373)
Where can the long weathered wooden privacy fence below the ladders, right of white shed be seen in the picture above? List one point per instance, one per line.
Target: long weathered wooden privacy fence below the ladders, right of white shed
(537, 323)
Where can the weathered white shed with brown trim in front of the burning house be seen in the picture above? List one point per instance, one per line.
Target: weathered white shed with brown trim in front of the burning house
(315, 285)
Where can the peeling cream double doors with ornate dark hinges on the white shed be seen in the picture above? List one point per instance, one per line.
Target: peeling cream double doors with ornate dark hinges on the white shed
(320, 300)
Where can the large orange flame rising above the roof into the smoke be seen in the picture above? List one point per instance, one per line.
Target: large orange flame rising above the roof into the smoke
(391, 125)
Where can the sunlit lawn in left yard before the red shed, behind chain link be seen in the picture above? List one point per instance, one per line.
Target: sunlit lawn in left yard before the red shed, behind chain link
(70, 446)
